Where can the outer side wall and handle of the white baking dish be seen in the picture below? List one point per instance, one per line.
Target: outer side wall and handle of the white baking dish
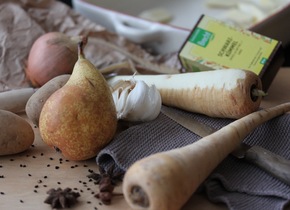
(135, 29)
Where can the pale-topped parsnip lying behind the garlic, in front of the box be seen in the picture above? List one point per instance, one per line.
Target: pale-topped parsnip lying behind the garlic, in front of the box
(229, 93)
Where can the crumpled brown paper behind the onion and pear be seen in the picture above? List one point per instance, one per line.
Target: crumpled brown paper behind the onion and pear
(23, 21)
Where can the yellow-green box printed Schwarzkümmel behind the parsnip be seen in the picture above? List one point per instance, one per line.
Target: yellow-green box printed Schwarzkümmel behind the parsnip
(214, 44)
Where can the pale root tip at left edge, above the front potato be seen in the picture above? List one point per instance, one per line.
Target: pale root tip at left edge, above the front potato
(15, 100)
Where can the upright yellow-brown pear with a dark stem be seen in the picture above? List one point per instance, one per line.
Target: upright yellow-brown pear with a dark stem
(80, 118)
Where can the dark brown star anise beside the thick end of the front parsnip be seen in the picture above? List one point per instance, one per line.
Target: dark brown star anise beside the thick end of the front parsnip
(107, 181)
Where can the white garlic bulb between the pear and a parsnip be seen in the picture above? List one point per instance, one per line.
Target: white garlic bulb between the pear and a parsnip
(135, 100)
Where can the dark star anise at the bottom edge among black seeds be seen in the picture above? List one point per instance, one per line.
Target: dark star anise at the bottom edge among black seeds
(61, 198)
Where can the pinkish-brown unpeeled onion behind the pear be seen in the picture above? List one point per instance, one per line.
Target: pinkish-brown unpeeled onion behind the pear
(51, 55)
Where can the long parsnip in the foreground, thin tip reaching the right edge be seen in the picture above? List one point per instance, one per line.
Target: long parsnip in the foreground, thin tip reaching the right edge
(165, 181)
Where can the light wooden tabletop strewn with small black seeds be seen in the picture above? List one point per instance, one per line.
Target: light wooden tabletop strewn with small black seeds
(25, 178)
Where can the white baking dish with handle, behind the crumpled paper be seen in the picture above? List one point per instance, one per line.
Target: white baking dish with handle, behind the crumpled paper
(122, 17)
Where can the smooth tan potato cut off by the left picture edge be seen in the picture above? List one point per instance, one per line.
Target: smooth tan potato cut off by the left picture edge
(16, 134)
